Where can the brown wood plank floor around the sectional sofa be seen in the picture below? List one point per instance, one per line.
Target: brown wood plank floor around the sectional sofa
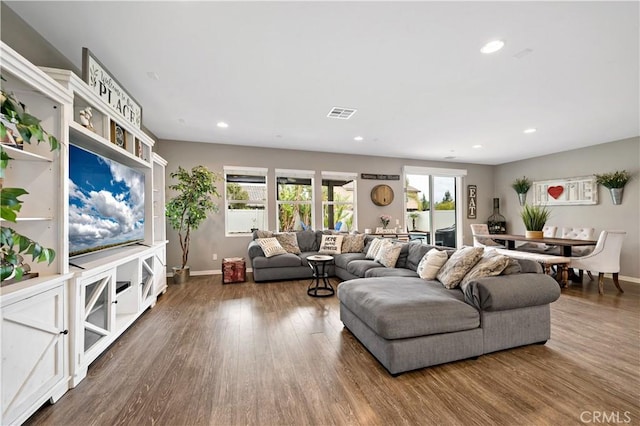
(267, 354)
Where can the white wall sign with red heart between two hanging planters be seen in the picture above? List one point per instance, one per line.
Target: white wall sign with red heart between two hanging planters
(568, 191)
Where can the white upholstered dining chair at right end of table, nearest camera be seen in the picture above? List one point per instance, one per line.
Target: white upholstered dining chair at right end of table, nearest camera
(604, 259)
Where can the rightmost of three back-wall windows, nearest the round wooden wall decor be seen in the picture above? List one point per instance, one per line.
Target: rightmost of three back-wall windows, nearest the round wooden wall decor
(339, 201)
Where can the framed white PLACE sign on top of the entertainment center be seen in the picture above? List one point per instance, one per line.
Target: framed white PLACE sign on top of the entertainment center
(108, 89)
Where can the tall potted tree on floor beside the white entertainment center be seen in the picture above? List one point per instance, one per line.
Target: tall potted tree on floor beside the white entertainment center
(189, 208)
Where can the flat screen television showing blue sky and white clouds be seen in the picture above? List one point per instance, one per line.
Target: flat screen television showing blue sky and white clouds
(106, 203)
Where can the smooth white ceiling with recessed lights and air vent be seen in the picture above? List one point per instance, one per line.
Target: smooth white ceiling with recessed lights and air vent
(413, 70)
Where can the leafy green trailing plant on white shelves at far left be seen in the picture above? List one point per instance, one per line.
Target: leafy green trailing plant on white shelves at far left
(17, 126)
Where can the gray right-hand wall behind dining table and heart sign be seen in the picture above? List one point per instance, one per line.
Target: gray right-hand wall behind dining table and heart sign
(602, 158)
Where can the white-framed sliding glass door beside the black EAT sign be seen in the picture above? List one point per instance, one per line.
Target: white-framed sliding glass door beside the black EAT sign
(431, 204)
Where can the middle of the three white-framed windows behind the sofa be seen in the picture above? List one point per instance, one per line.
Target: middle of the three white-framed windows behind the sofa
(294, 199)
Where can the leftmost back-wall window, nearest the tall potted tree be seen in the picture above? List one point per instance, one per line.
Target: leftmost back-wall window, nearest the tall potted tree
(245, 200)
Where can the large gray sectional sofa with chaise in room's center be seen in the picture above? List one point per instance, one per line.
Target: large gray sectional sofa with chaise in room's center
(407, 322)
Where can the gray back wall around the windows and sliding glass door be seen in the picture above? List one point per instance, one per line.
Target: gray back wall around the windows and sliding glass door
(210, 237)
